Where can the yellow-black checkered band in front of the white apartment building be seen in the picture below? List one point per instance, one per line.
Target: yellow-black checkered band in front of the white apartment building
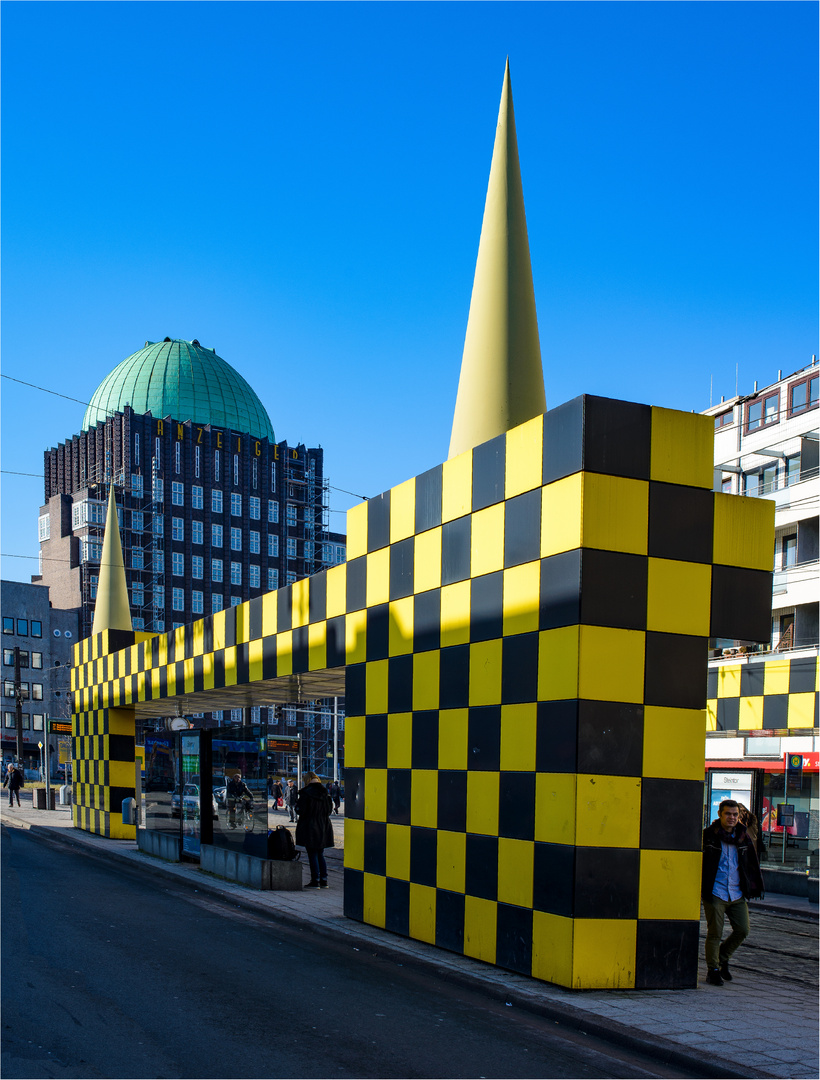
(778, 694)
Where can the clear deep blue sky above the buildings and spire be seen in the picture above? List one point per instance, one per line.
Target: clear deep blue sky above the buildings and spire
(301, 186)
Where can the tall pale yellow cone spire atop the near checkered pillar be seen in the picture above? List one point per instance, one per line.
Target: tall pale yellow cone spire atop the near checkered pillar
(502, 383)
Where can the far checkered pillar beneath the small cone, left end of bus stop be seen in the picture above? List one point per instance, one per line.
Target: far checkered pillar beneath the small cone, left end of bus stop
(102, 739)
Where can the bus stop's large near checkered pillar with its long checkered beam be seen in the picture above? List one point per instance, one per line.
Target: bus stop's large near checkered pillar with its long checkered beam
(526, 632)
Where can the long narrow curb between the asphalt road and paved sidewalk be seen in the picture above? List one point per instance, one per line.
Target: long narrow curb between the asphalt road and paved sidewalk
(492, 984)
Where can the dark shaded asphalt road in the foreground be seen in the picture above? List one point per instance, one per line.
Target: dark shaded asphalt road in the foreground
(109, 973)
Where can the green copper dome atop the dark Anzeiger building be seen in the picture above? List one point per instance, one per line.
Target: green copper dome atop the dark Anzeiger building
(183, 381)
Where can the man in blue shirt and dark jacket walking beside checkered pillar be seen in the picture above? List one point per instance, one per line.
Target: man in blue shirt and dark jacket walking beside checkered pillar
(732, 875)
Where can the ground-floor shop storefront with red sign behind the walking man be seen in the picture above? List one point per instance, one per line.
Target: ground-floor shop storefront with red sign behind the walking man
(785, 796)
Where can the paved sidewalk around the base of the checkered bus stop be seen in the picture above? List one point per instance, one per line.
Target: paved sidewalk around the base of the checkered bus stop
(759, 1025)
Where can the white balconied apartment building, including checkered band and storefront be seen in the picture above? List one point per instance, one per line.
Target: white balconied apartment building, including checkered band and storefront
(763, 699)
